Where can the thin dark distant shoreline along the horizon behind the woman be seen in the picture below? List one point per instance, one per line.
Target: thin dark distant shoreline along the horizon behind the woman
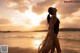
(61, 29)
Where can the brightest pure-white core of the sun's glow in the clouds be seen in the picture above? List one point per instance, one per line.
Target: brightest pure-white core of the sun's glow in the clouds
(33, 17)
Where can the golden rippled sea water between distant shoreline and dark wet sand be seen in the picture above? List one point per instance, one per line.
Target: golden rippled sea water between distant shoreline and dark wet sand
(70, 40)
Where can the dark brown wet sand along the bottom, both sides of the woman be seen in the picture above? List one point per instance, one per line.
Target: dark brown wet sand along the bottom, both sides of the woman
(29, 50)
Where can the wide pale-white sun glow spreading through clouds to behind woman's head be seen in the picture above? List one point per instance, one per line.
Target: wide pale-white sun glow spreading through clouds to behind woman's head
(29, 19)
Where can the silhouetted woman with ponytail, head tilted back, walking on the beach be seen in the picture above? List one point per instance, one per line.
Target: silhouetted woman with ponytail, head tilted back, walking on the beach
(51, 41)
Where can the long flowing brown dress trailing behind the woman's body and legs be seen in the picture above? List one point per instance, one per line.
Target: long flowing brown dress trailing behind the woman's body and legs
(48, 42)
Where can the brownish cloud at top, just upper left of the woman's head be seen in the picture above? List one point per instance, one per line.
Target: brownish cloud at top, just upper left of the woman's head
(43, 6)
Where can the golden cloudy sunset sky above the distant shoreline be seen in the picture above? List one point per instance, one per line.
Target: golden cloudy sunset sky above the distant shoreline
(27, 15)
